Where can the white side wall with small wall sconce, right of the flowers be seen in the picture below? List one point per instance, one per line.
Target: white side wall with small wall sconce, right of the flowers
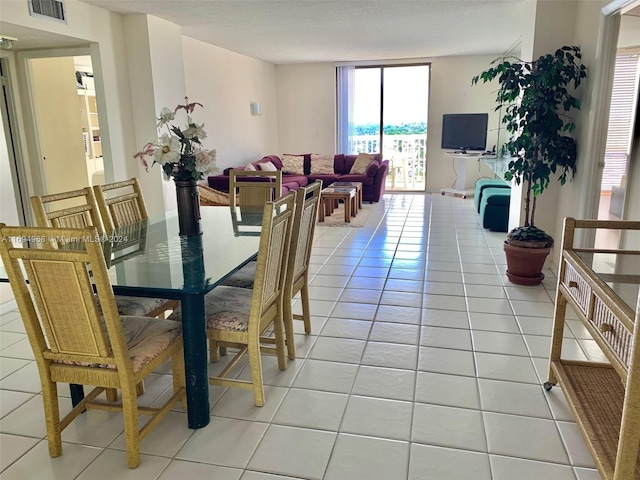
(226, 83)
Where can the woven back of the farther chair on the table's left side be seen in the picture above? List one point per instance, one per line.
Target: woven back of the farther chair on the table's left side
(120, 203)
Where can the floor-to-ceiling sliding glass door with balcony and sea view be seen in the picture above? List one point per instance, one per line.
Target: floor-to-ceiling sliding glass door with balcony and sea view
(385, 109)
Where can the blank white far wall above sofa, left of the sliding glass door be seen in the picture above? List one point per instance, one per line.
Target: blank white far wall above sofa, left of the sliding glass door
(306, 103)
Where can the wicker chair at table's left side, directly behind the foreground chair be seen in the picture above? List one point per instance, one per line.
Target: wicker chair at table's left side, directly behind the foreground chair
(78, 209)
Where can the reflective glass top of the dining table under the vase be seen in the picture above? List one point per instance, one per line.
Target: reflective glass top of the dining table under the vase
(151, 255)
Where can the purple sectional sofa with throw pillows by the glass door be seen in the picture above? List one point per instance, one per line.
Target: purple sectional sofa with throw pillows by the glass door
(373, 182)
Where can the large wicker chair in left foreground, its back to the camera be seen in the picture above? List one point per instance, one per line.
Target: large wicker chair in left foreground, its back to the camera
(73, 343)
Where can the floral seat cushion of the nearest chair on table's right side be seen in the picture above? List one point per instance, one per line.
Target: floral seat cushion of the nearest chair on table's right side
(226, 308)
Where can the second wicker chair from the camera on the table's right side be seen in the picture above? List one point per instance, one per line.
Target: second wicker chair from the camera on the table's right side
(297, 278)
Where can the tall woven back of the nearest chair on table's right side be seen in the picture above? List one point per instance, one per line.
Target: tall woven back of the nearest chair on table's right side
(268, 289)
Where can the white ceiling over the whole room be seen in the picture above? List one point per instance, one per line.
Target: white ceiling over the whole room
(304, 31)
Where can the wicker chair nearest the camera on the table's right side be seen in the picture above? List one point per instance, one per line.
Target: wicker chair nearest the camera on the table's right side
(240, 317)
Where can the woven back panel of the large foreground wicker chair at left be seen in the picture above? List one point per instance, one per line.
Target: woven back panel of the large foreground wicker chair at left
(55, 295)
